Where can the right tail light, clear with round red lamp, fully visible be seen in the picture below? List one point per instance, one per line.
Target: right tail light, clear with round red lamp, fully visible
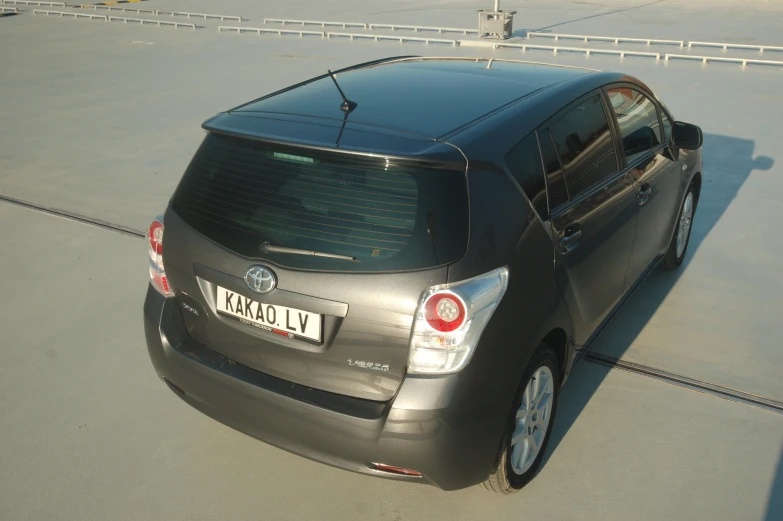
(449, 322)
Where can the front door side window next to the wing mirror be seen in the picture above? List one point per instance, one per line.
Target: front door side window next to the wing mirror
(637, 118)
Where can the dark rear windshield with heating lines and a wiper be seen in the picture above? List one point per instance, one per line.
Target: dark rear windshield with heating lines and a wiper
(242, 193)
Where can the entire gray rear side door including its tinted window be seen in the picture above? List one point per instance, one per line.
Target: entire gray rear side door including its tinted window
(594, 231)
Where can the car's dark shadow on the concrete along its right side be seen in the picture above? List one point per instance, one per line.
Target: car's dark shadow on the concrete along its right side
(728, 162)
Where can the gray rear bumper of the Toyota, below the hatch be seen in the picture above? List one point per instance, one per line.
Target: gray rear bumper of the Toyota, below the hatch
(442, 427)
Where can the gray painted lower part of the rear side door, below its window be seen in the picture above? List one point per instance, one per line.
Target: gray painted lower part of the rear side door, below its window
(594, 241)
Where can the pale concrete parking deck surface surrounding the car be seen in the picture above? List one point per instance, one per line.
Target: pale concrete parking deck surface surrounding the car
(101, 119)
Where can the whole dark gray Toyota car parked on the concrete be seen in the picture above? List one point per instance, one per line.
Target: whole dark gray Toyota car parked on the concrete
(392, 268)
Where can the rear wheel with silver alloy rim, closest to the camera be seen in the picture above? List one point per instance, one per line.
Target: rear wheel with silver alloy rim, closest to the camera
(514, 466)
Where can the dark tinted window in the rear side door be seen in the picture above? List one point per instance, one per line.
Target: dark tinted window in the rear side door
(585, 145)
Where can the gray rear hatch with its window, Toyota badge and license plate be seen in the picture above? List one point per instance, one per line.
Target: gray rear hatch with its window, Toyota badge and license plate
(330, 323)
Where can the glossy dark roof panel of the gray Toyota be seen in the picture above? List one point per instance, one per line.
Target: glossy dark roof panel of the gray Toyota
(430, 97)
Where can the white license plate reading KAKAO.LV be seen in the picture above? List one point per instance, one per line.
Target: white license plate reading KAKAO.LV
(280, 320)
